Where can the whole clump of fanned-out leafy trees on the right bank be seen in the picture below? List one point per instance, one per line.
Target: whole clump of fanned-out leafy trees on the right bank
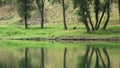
(84, 12)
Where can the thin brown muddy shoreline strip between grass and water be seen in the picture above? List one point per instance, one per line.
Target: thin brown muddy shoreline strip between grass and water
(67, 38)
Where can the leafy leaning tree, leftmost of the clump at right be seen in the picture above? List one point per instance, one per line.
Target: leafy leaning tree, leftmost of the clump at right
(83, 11)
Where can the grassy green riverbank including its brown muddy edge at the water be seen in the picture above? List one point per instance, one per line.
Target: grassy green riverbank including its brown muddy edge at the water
(56, 32)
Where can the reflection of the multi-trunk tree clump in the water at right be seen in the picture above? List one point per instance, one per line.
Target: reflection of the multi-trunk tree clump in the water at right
(100, 57)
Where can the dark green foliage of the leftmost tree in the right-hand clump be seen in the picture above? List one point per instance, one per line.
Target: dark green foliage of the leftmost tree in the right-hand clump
(83, 9)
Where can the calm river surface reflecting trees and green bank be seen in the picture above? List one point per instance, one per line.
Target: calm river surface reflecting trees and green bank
(104, 55)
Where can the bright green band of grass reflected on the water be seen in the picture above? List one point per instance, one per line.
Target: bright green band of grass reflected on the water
(53, 44)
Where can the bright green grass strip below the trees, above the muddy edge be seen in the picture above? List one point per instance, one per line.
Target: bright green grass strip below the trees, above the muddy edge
(17, 31)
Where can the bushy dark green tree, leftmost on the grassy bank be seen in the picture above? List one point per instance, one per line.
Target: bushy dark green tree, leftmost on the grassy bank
(24, 10)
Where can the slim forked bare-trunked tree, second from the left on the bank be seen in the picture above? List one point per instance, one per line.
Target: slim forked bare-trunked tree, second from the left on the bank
(40, 4)
